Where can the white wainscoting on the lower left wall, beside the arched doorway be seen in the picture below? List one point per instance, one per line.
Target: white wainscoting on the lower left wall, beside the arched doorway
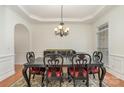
(7, 66)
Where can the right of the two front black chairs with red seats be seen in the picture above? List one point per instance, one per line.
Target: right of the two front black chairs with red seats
(79, 69)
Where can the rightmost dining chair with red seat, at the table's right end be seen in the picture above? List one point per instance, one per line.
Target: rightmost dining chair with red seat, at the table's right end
(97, 58)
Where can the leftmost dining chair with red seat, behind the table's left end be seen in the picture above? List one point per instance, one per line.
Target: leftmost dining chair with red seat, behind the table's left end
(30, 56)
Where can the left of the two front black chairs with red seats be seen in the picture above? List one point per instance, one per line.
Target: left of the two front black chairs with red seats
(53, 63)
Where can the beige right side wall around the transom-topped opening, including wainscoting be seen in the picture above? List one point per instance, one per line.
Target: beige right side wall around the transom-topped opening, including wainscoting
(115, 19)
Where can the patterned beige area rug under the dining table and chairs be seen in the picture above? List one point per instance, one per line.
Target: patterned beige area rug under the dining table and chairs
(36, 82)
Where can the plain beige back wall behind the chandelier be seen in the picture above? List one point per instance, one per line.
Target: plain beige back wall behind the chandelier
(80, 38)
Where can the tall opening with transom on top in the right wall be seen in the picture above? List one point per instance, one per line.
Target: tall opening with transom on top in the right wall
(102, 42)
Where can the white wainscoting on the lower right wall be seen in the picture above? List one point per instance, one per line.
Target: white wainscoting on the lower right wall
(116, 65)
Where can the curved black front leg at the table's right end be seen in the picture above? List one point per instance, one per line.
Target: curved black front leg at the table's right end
(101, 75)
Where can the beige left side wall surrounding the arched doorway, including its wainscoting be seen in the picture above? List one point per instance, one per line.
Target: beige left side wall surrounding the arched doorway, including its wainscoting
(8, 20)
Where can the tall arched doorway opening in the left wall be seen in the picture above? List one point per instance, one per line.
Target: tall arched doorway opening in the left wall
(21, 41)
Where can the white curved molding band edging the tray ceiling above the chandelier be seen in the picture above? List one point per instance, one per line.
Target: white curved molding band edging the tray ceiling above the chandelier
(91, 17)
